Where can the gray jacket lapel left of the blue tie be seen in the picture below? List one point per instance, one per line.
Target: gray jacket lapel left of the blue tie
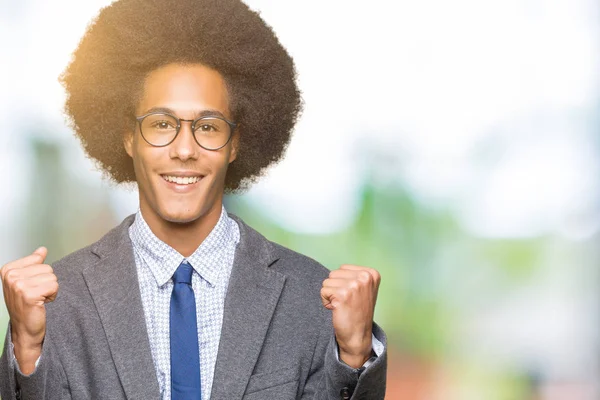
(113, 285)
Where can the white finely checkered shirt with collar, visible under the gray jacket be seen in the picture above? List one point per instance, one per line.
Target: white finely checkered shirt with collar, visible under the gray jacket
(156, 263)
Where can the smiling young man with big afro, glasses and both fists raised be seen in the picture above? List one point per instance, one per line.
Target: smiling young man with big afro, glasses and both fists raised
(189, 99)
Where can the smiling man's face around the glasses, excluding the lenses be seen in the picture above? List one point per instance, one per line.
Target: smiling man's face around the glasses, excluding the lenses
(186, 91)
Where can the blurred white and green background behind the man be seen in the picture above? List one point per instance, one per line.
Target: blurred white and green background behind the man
(452, 146)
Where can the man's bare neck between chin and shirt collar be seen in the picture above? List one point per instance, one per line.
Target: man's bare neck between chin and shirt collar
(184, 237)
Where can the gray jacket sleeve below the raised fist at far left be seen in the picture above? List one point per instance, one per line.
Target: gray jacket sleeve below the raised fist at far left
(48, 381)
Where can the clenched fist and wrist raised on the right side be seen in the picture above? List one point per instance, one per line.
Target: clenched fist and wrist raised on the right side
(351, 293)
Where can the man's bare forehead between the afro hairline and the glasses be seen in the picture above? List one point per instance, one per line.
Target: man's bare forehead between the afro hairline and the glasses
(186, 89)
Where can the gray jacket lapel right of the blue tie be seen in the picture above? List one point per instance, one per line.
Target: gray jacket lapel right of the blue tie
(252, 296)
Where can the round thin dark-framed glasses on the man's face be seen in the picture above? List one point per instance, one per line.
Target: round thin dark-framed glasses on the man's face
(161, 129)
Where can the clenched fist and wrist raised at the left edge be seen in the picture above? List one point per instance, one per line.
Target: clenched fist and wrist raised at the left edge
(28, 285)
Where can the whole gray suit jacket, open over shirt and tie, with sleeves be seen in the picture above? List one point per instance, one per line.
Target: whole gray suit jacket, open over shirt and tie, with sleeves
(276, 342)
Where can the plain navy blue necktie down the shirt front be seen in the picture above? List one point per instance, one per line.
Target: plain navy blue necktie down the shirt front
(185, 354)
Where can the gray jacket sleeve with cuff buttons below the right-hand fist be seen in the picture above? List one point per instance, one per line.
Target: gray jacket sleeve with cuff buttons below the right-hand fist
(329, 378)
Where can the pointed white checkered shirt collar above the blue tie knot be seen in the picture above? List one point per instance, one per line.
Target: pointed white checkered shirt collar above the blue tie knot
(163, 260)
